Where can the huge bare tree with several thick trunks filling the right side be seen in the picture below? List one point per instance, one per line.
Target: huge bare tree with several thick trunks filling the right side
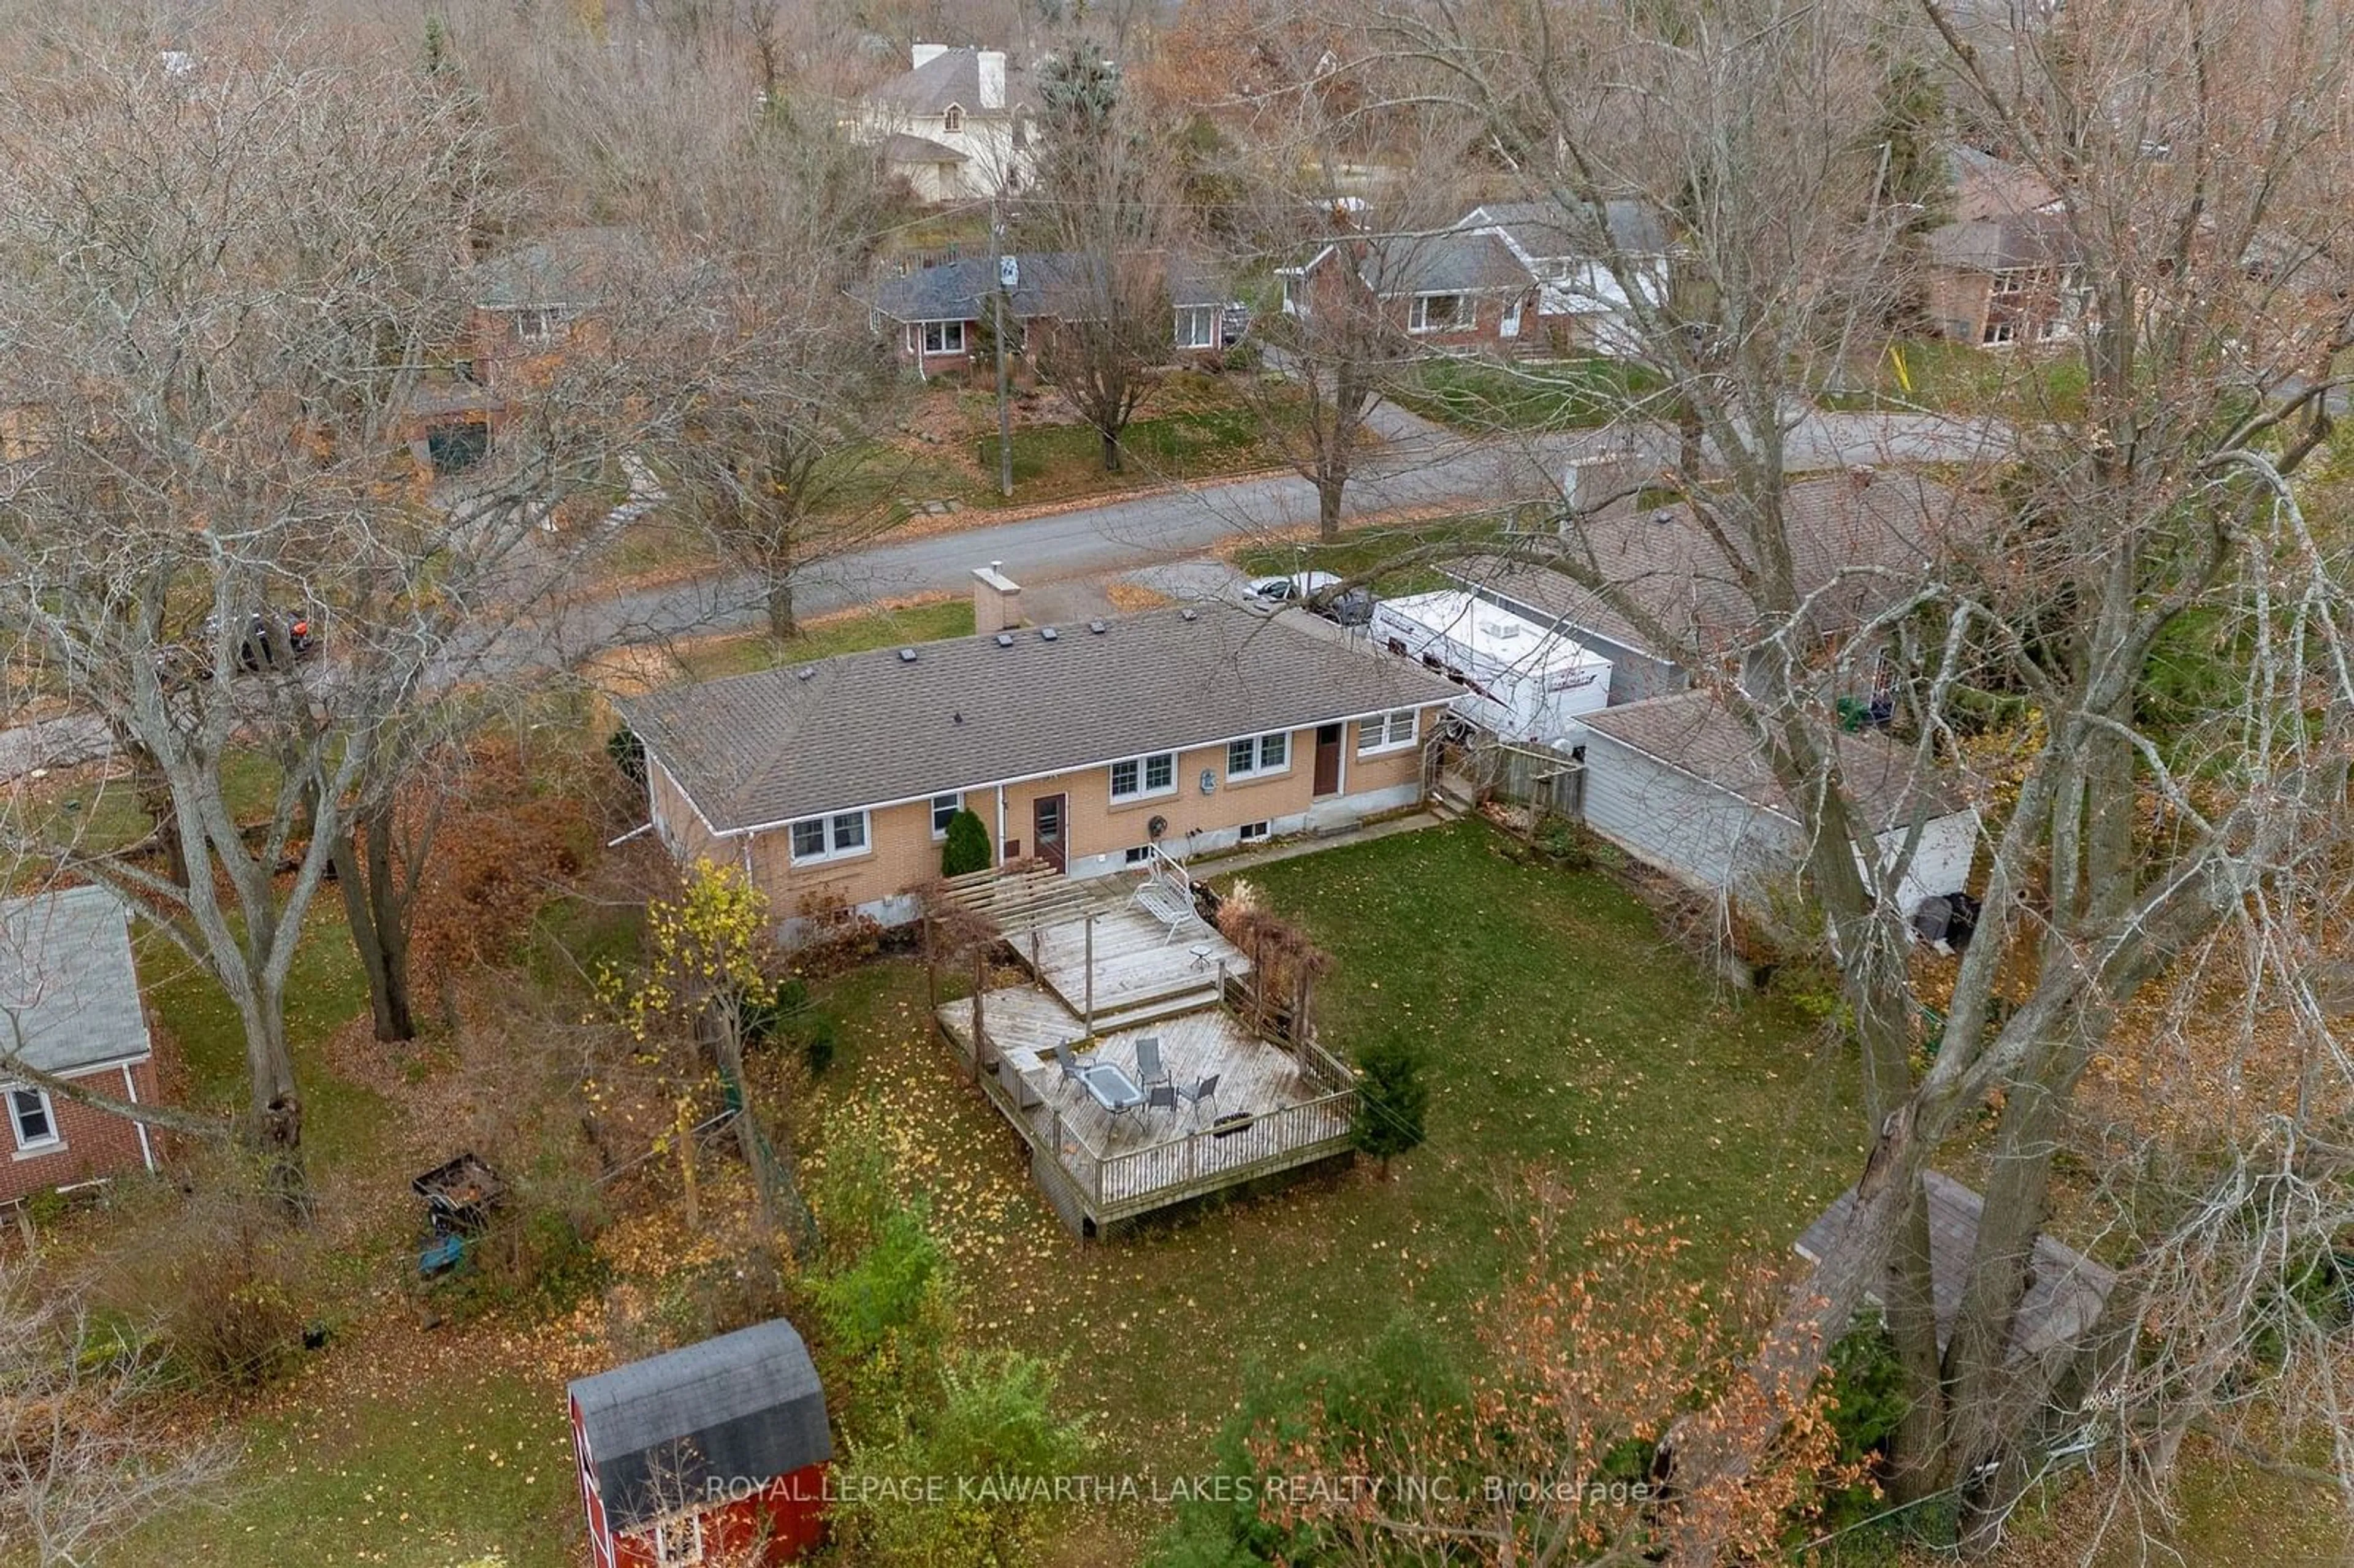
(2139, 865)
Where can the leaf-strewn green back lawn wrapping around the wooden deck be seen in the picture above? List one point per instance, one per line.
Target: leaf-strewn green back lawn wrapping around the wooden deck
(1557, 1028)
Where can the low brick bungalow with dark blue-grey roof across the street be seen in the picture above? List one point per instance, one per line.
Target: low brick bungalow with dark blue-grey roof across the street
(936, 312)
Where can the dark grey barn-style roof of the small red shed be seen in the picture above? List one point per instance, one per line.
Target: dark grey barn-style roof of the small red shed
(745, 1407)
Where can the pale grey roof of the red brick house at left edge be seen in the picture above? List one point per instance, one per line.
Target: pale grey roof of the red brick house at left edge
(69, 990)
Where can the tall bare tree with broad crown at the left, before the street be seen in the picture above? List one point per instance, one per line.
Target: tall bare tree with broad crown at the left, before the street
(225, 303)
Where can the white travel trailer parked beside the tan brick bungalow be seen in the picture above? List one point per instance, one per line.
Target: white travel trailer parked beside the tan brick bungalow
(1522, 682)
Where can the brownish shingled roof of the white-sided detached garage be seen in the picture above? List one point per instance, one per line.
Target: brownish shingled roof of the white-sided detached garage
(1694, 733)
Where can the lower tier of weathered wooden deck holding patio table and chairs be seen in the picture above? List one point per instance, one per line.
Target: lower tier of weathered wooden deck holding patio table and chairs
(1272, 1110)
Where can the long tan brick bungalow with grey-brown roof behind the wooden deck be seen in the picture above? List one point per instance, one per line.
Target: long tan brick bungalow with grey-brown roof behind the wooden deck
(1082, 748)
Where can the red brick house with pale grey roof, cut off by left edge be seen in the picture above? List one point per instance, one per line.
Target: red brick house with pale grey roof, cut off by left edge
(69, 1006)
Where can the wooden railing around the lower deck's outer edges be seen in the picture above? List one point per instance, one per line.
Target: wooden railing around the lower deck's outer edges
(1204, 1160)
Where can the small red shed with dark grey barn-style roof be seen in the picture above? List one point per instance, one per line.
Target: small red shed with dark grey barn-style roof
(712, 1451)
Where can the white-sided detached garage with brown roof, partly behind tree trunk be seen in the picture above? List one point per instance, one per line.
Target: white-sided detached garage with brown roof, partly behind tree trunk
(1682, 788)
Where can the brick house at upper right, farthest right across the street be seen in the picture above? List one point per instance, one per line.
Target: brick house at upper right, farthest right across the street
(2004, 272)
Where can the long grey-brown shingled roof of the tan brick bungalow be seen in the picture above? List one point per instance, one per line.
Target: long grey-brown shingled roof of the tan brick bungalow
(872, 729)
